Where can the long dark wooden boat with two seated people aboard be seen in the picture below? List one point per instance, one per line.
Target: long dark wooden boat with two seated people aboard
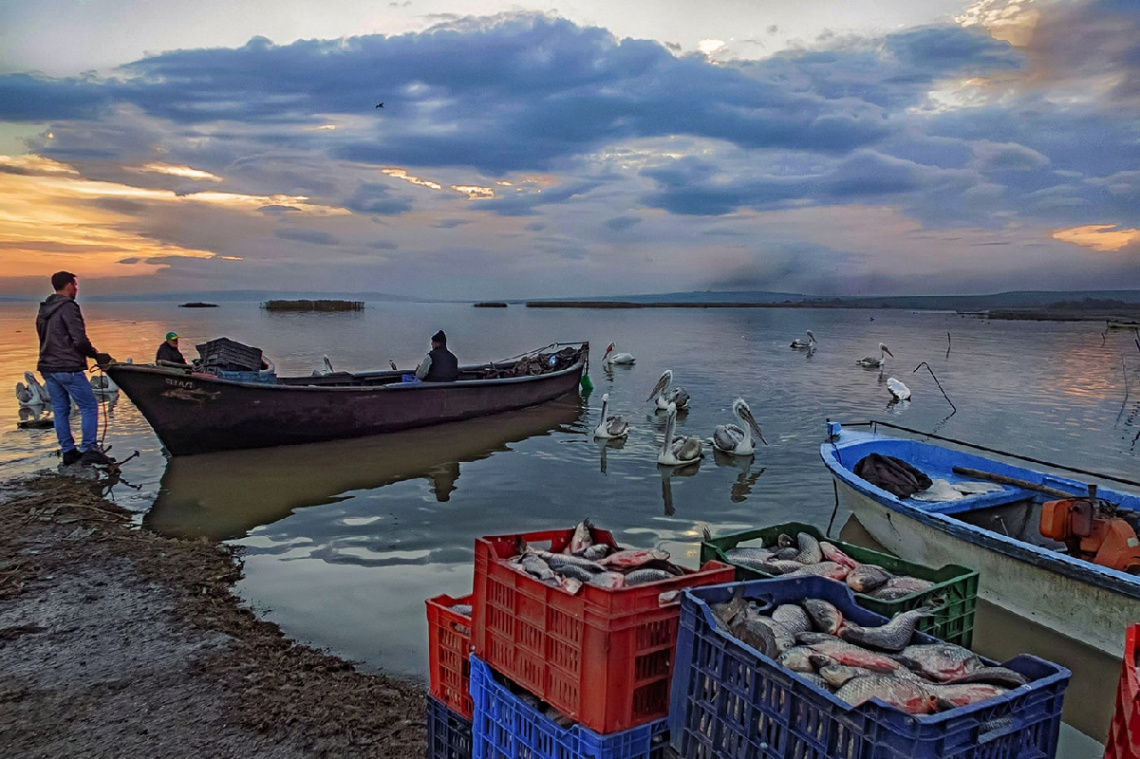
(198, 413)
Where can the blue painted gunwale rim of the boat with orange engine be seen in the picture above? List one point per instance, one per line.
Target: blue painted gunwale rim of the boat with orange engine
(1073, 568)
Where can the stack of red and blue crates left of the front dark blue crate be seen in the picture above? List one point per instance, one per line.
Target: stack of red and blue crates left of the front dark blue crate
(556, 674)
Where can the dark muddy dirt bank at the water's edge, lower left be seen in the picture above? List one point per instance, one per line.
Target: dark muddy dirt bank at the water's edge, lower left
(119, 642)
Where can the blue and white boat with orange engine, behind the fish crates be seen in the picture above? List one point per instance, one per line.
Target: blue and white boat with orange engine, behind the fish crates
(999, 534)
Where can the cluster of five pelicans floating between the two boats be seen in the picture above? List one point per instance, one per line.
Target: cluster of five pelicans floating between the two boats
(680, 451)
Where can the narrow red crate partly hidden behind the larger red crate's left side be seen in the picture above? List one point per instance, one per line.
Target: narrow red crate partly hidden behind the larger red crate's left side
(449, 649)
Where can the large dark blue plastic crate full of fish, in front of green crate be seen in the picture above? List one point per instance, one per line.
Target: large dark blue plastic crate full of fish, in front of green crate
(729, 700)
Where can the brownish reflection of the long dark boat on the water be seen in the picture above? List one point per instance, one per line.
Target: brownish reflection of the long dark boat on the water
(226, 495)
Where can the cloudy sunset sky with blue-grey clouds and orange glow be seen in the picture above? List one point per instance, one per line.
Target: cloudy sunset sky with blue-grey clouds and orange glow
(828, 148)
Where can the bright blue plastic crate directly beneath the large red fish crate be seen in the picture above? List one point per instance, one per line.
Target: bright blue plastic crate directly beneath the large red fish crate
(507, 728)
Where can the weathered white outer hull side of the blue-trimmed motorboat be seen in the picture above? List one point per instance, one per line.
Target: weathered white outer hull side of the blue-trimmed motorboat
(1073, 608)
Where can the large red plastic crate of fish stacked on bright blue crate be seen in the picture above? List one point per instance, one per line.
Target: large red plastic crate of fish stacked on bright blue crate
(601, 657)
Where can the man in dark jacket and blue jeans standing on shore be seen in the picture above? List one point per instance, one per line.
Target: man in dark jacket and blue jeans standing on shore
(64, 350)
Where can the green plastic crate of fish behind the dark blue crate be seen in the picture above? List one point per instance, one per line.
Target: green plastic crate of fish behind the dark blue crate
(957, 587)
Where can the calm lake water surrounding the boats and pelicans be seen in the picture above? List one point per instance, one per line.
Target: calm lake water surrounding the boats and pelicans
(345, 541)
